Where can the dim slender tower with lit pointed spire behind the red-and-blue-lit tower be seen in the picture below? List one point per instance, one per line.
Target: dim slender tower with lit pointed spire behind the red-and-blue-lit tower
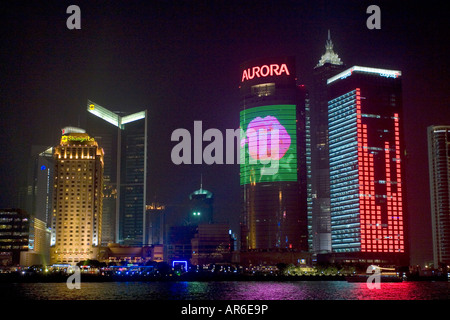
(319, 219)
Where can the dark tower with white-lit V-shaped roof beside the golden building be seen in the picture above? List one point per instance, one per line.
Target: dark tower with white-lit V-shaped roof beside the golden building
(131, 173)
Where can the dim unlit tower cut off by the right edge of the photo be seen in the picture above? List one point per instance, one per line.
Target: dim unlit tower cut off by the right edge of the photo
(439, 168)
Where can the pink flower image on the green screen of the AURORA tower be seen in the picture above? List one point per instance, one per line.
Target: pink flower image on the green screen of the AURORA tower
(268, 123)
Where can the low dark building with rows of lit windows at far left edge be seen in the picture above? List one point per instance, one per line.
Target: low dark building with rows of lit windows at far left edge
(14, 235)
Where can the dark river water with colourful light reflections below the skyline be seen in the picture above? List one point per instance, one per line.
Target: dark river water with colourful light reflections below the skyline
(228, 290)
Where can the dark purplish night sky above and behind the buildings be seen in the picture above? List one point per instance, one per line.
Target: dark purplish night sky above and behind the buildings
(180, 60)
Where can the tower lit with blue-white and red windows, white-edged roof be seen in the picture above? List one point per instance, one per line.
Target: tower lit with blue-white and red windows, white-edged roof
(366, 150)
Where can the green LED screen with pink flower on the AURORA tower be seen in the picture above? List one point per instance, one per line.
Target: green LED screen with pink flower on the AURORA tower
(283, 162)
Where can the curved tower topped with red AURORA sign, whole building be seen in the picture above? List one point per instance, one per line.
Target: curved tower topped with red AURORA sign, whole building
(272, 157)
